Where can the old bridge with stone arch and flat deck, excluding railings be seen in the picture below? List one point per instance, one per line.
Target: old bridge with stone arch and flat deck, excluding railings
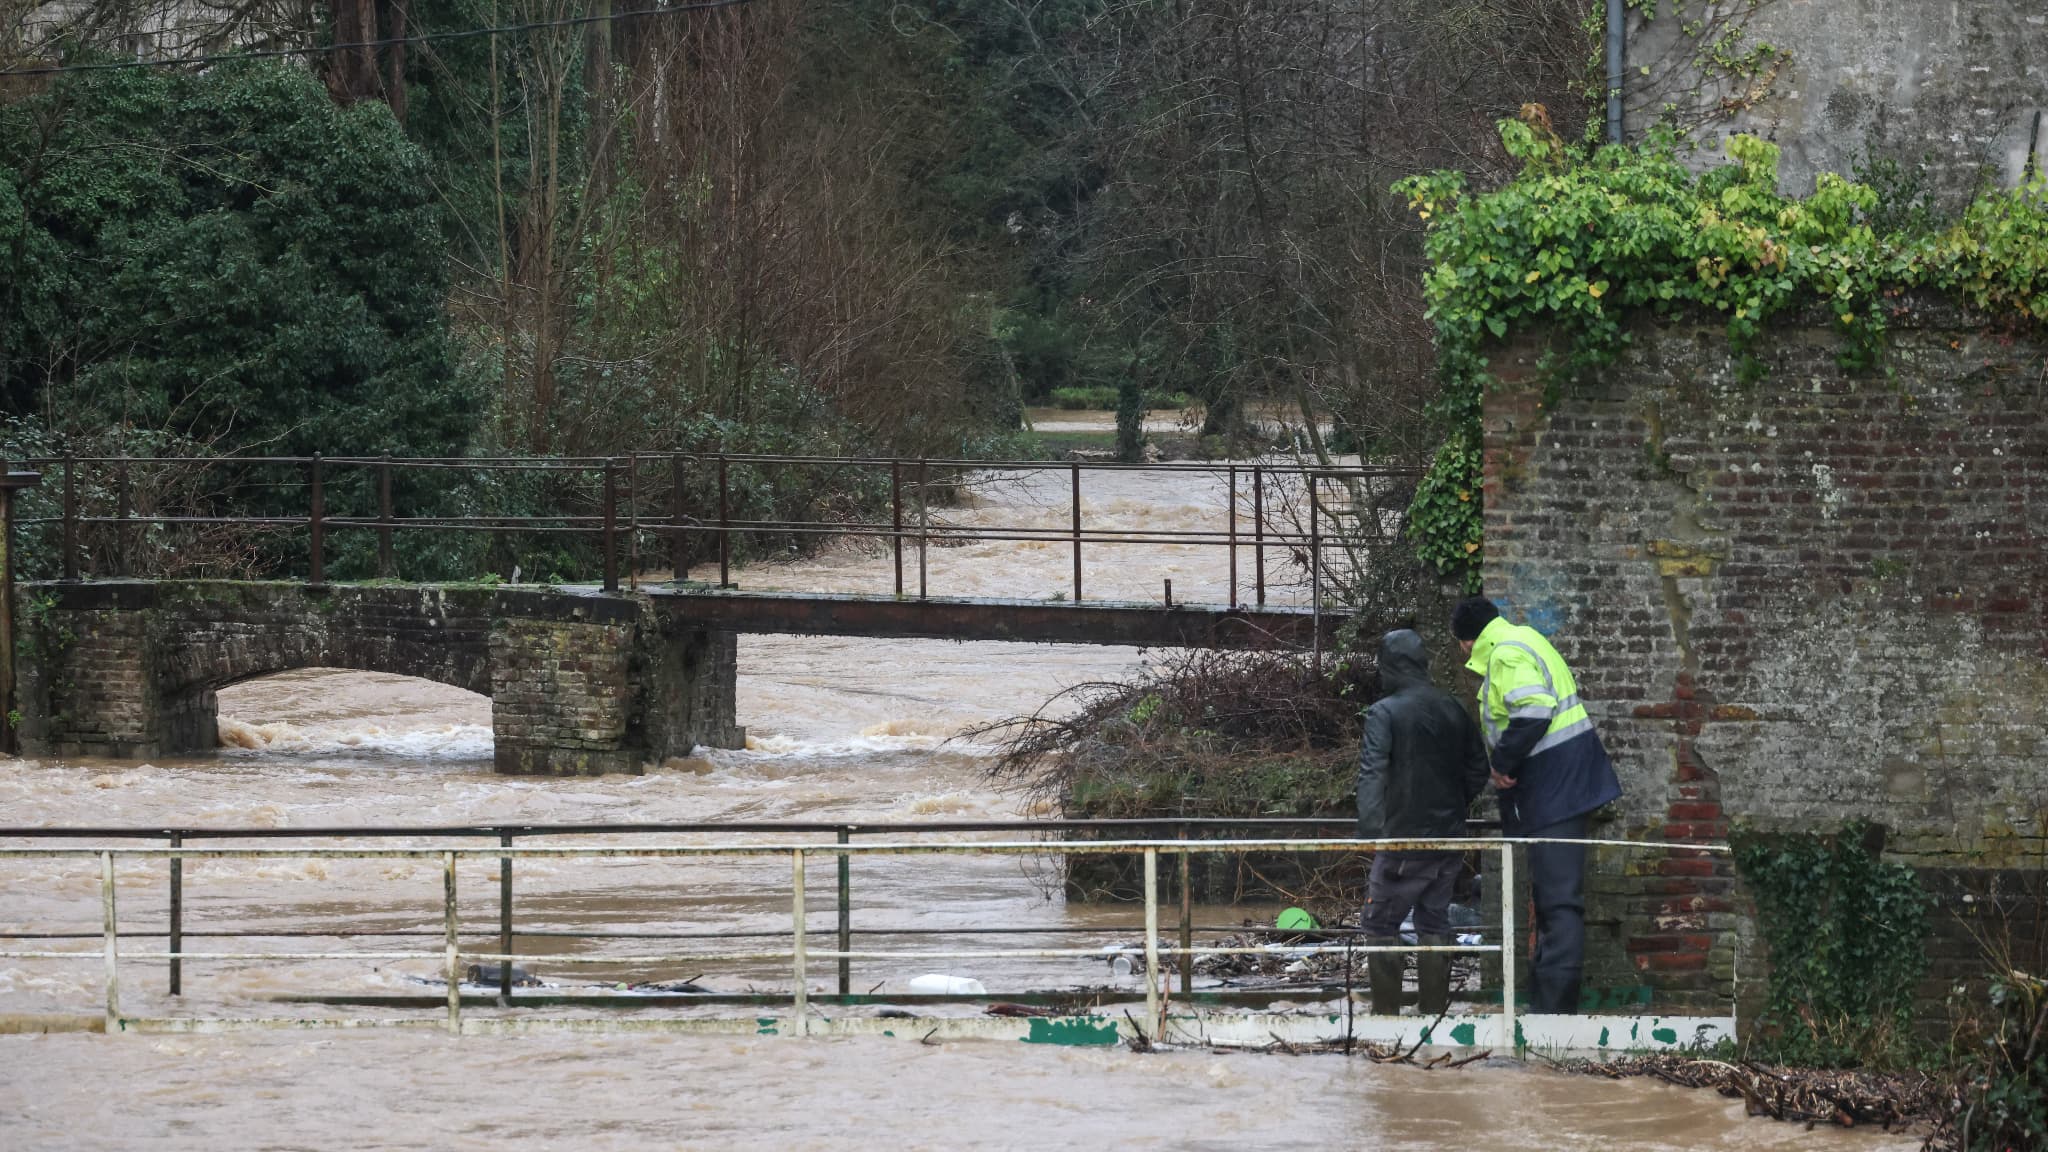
(581, 682)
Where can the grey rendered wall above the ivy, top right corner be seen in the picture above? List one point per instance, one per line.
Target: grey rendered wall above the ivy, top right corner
(1955, 83)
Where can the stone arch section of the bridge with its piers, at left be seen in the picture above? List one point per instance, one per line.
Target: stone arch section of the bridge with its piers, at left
(581, 684)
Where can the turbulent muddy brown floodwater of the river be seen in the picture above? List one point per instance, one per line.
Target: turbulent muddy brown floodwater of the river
(839, 731)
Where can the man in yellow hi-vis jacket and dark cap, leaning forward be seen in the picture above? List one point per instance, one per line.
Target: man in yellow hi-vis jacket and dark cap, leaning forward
(1551, 774)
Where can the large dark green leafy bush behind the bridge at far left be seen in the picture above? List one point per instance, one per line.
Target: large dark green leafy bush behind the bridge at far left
(224, 259)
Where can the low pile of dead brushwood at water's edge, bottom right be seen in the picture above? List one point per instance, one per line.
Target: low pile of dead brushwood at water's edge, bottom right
(1799, 1096)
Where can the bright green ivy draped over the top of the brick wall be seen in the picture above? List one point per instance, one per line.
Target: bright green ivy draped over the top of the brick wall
(1584, 243)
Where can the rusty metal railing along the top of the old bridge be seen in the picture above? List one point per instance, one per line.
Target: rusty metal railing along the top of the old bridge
(689, 499)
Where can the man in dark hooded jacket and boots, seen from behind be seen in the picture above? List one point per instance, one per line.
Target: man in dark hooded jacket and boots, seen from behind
(1418, 772)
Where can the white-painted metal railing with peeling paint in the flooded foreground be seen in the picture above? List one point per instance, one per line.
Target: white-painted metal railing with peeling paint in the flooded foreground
(800, 954)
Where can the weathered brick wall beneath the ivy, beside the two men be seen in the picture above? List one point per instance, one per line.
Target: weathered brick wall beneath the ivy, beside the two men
(1795, 602)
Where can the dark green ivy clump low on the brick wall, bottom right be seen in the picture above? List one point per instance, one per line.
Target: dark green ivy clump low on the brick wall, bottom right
(1848, 944)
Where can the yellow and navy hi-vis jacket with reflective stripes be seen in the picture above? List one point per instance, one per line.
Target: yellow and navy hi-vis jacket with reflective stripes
(1523, 677)
